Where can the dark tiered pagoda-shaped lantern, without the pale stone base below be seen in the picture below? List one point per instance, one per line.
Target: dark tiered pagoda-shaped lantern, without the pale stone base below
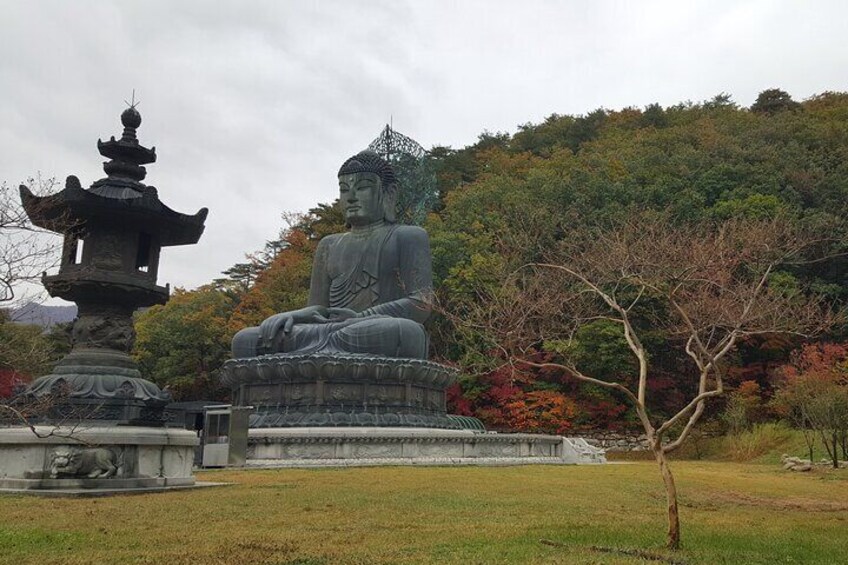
(113, 234)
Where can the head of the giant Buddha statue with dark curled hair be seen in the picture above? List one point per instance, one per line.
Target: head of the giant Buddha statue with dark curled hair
(367, 189)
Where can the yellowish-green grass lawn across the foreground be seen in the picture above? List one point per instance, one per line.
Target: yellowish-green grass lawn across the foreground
(731, 513)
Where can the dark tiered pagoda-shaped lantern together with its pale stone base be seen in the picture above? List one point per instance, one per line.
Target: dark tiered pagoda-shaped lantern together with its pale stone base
(99, 425)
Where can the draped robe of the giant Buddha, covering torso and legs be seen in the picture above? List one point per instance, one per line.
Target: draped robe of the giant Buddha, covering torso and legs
(384, 274)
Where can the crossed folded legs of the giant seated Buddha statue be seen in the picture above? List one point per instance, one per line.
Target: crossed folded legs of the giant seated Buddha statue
(377, 335)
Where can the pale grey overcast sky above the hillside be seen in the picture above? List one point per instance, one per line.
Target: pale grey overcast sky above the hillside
(253, 106)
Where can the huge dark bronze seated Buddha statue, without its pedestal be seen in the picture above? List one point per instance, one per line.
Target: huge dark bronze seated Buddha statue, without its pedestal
(371, 286)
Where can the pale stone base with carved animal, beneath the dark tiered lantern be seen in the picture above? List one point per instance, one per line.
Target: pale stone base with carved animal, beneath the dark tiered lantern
(99, 459)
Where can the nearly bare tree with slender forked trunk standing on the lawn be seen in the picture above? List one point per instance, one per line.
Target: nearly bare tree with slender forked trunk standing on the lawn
(705, 287)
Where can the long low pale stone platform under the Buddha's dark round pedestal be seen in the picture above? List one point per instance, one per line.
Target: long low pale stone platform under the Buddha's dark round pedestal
(299, 447)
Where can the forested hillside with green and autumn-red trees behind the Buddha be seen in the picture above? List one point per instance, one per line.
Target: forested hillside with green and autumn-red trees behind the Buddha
(507, 199)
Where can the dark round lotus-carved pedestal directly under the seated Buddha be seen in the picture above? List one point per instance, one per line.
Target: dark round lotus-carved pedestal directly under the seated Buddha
(290, 390)
